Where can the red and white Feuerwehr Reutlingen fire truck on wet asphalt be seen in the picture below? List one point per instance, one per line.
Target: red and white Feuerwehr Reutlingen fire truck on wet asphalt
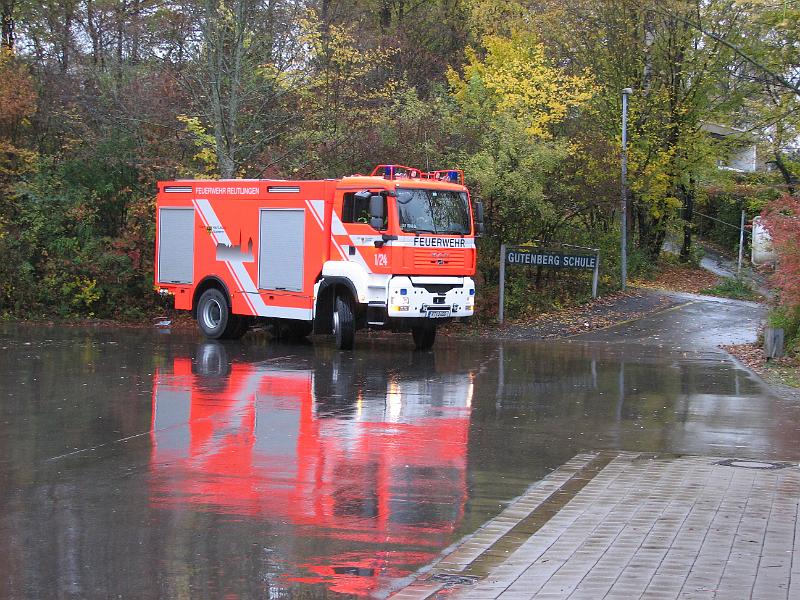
(393, 250)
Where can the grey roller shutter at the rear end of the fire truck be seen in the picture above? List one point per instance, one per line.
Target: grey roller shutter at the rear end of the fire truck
(176, 245)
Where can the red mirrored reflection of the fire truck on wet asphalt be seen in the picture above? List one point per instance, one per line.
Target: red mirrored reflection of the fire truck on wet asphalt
(370, 465)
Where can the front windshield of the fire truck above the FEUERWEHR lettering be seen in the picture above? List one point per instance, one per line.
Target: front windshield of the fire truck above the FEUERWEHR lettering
(433, 211)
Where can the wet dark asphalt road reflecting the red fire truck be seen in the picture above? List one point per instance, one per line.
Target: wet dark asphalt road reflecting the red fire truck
(140, 464)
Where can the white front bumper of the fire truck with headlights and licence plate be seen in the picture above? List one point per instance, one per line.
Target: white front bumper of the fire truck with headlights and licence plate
(430, 297)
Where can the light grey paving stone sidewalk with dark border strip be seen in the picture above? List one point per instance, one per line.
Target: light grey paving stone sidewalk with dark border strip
(629, 525)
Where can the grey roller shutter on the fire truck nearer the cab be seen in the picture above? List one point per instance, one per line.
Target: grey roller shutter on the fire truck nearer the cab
(281, 250)
